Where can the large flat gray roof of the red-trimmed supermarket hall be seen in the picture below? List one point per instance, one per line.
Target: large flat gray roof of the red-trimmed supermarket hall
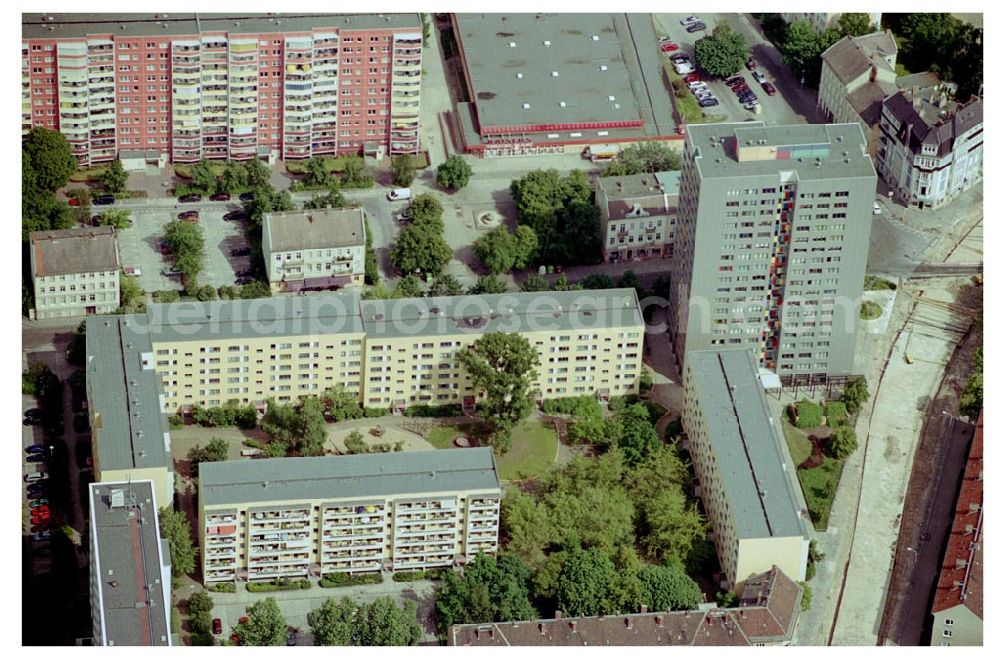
(608, 70)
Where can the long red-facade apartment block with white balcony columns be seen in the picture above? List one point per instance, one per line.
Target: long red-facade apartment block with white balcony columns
(223, 86)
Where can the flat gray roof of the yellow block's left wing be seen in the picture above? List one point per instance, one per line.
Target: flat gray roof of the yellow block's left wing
(126, 396)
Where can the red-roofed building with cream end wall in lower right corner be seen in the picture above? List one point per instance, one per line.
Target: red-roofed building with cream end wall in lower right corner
(958, 599)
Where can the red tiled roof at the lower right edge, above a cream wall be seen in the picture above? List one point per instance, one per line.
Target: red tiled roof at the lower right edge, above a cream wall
(961, 577)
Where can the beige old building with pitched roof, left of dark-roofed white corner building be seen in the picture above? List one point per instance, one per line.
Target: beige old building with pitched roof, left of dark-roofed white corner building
(858, 73)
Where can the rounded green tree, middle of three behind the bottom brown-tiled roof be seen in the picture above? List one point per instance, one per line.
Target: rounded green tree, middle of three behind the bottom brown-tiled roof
(586, 584)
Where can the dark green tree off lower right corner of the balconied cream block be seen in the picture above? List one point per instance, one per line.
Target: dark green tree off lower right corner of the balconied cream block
(489, 589)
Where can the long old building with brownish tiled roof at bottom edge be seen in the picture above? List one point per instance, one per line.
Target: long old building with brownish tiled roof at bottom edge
(768, 611)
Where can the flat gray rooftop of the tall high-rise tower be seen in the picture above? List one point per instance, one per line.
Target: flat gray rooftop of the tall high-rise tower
(798, 146)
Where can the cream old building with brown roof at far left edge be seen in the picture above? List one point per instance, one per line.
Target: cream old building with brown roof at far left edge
(75, 272)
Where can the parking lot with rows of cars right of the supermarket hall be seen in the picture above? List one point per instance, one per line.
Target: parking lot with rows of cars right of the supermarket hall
(779, 109)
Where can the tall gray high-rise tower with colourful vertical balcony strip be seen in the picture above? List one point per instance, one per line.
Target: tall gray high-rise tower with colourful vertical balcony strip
(772, 244)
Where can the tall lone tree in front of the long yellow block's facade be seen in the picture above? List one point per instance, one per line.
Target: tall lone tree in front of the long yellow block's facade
(503, 366)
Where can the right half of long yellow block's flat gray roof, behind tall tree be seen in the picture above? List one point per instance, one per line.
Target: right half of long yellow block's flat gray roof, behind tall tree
(507, 313)
